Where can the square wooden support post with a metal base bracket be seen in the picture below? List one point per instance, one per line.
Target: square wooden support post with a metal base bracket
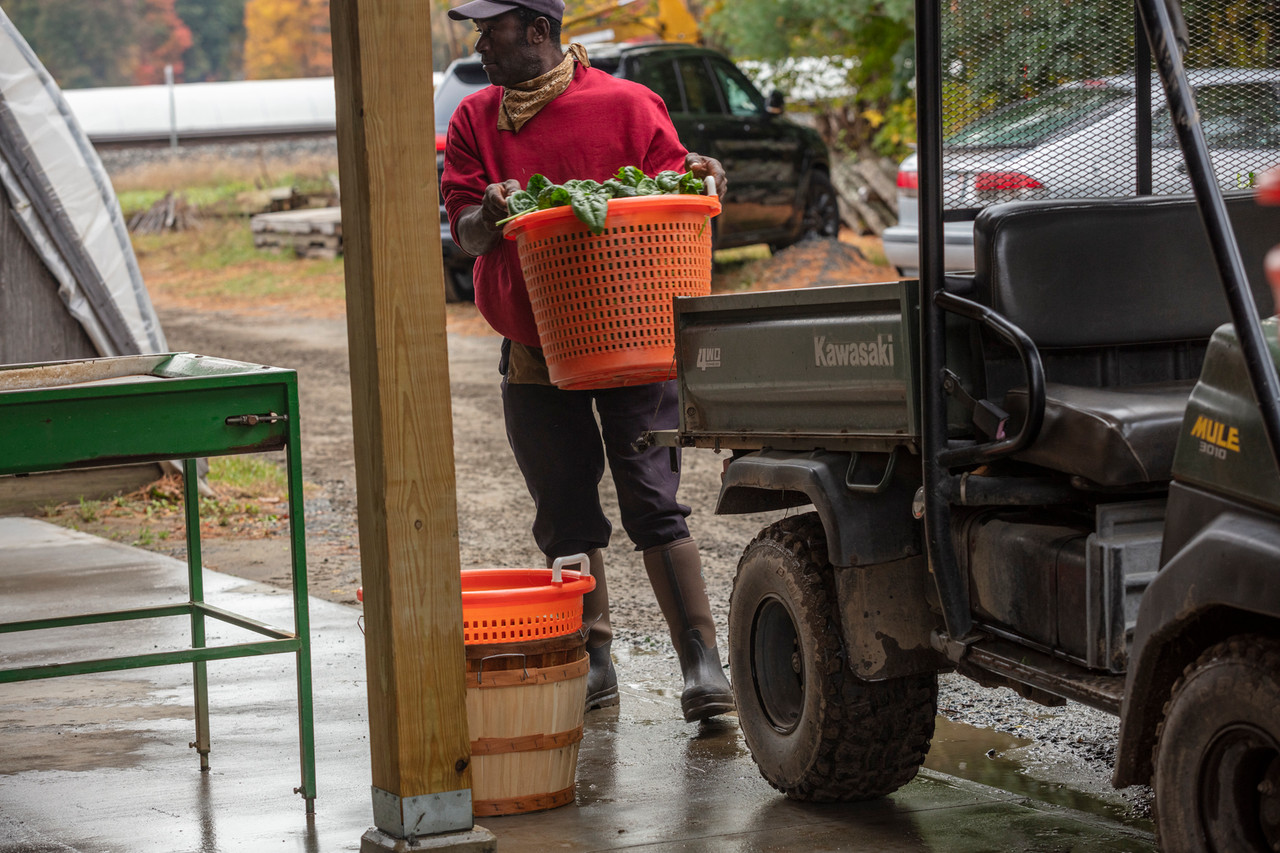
(404, 430)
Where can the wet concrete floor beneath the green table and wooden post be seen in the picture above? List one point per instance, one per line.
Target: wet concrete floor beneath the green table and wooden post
(100, 764)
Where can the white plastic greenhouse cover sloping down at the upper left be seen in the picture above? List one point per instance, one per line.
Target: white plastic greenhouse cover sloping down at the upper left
(65, 203)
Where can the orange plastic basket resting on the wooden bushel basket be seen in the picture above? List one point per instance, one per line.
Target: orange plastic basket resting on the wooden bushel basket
(520, 605)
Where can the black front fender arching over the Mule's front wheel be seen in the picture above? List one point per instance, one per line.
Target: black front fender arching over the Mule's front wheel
(1224, 581)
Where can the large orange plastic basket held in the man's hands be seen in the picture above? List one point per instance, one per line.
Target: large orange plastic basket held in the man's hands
(604, 302)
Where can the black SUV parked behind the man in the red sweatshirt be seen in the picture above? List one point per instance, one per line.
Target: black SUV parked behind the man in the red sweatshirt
(780, 174)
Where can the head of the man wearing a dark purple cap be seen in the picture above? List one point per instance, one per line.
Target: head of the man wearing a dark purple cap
(519, 42)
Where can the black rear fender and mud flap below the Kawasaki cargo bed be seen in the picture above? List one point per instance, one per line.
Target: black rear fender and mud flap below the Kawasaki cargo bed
(865, 500)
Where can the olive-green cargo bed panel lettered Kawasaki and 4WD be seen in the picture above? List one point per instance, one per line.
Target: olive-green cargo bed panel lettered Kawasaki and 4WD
(829, 367)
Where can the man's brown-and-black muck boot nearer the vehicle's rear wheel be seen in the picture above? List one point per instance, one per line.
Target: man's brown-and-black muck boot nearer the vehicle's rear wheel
(676, 576)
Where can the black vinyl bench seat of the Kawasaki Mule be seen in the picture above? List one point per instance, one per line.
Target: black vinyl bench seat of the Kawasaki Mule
(1121, 297)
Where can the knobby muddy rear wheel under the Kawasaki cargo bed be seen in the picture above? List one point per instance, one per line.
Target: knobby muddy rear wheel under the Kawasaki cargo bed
(816, 732)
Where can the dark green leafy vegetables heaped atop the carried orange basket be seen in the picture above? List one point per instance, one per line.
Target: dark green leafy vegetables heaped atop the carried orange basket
(591, 199)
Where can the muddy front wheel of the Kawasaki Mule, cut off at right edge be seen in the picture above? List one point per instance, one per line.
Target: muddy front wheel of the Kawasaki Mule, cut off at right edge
(1218, 752)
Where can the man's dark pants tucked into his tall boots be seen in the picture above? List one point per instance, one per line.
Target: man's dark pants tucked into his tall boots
(559, 448)
